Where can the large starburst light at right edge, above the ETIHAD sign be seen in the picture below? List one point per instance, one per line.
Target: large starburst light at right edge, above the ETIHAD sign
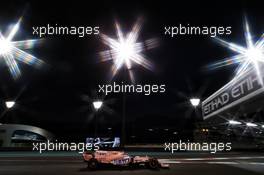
(250, 56)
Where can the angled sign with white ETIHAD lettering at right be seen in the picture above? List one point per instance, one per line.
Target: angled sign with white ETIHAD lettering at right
(235, 92)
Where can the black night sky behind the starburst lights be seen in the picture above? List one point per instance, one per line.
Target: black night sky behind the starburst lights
(51, 97)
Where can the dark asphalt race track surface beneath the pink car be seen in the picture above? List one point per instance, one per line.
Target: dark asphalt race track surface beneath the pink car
(180, 163)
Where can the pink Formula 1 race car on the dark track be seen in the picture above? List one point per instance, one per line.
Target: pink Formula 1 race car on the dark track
(120, 158)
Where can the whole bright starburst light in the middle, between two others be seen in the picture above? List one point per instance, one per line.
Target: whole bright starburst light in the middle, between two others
(126, 50)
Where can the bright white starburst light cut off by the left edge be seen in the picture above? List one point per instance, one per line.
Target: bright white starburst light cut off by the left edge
(12, 51)
